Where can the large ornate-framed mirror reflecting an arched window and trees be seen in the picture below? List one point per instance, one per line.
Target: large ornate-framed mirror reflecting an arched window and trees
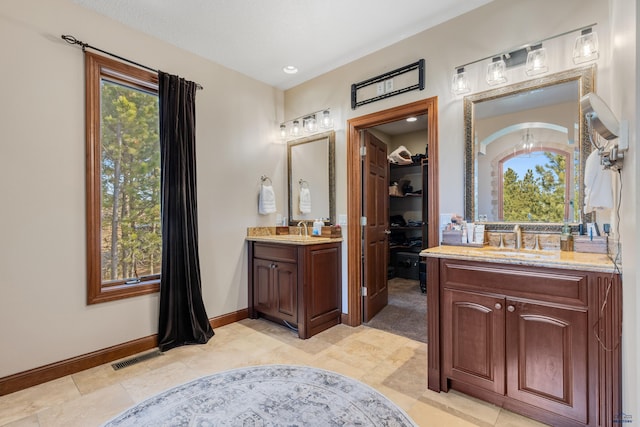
(525, 150)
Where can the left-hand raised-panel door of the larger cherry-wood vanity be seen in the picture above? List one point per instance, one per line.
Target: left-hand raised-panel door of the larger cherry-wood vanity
(473, 339)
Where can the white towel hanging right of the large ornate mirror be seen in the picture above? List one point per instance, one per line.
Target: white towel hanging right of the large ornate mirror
(598, 191)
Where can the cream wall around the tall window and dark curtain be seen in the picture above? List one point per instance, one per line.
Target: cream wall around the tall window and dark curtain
(43, 314)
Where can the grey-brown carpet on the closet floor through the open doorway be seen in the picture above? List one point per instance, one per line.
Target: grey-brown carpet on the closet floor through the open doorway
(406, 313)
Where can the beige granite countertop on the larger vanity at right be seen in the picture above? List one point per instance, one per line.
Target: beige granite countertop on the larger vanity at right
(540, 258)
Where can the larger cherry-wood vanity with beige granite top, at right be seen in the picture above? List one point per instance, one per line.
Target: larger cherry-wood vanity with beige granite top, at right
(538, 335)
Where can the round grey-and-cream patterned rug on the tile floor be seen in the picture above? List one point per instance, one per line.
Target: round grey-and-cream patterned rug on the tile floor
(265, 396)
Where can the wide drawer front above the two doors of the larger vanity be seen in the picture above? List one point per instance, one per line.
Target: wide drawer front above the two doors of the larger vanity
(558, 286)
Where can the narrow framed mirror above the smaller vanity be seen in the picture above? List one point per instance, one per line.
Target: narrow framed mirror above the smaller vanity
(311, 170)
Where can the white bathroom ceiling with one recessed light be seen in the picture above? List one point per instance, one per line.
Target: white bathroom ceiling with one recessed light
(260, 37)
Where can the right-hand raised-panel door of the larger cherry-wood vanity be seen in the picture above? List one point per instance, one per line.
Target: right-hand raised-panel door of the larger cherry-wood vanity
(547, 358)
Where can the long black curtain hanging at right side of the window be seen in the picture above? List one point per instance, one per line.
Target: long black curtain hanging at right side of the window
(183, 318)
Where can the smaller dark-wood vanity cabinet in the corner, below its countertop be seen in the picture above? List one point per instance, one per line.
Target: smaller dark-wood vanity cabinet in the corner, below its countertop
(297, 284)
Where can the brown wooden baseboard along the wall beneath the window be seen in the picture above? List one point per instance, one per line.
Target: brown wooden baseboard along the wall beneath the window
(42, 374)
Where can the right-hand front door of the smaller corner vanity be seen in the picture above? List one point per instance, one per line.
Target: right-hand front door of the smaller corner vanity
(285, 300)
